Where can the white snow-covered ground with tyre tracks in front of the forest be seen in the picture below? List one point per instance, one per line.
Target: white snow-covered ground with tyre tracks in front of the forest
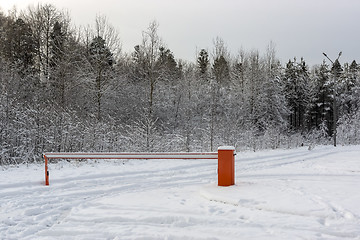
(279, 194)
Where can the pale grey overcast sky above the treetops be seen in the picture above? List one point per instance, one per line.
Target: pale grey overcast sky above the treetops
(299, 28)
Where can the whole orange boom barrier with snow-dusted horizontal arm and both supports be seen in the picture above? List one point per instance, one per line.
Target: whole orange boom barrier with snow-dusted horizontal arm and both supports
(169, 155)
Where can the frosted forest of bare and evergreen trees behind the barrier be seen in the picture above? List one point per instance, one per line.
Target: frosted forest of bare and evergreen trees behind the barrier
(69, 89)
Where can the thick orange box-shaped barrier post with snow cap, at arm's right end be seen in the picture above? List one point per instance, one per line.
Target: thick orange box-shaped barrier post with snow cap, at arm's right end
(226, 166)
